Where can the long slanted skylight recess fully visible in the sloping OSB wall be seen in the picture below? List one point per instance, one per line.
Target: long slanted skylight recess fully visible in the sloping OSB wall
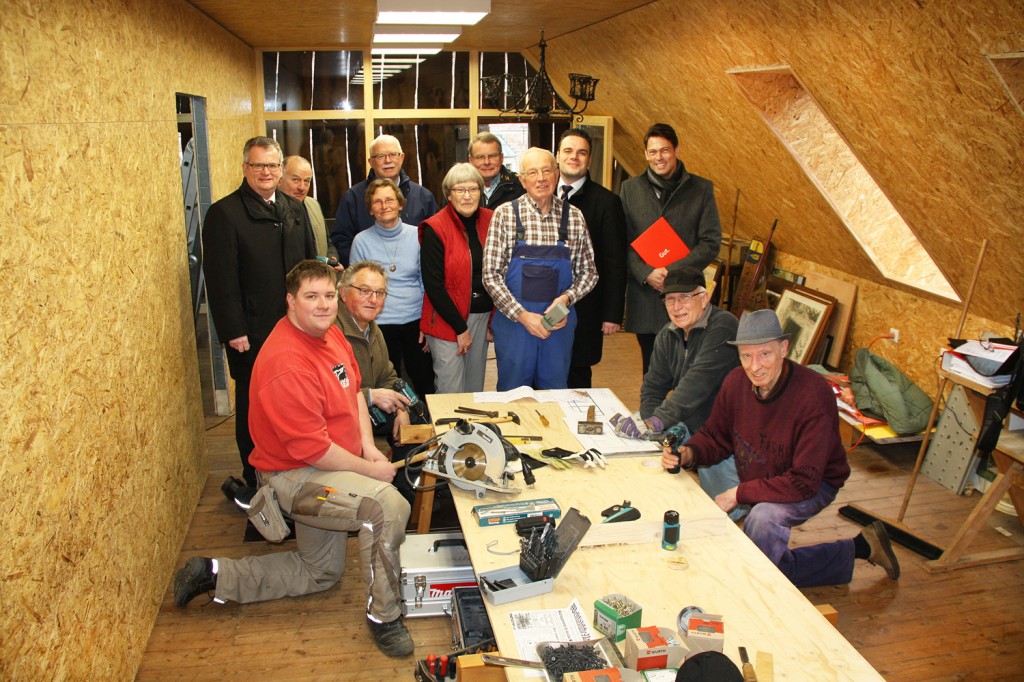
(805, 131)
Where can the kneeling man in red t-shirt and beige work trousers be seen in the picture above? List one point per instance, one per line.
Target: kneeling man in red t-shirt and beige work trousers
(315, 448)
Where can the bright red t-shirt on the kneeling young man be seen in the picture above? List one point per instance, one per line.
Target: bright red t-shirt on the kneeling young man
(304, 397)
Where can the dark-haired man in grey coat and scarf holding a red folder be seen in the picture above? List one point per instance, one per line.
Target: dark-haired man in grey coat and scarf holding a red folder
(667, 191)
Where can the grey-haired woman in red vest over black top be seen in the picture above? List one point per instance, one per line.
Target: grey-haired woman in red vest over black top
(457, 309)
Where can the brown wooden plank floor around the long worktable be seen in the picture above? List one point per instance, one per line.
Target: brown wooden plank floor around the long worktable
(966, 625)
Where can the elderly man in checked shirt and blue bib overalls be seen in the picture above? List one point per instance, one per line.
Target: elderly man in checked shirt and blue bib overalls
(538, 254)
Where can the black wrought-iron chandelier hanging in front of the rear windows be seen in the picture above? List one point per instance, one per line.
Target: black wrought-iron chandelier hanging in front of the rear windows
(535, 98)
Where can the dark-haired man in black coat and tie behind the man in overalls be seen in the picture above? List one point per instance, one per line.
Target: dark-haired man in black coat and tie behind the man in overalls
(601, 312)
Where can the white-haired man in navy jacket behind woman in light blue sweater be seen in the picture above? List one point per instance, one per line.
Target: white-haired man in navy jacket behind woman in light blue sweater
(387, 158)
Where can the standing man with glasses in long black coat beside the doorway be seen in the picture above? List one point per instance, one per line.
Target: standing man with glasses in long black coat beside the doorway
(251, 239)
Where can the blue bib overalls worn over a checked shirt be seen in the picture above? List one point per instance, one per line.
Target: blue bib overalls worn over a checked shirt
(536, 276)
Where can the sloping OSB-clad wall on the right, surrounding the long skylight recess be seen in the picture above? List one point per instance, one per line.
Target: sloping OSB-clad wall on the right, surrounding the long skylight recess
(907, 84)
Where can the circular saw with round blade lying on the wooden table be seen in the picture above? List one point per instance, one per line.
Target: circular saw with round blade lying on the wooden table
(474, 458)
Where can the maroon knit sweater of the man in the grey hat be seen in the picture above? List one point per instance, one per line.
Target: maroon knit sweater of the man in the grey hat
(785, 446)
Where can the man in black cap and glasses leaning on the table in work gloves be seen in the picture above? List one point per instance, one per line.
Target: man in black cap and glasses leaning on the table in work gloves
(691, 360)
